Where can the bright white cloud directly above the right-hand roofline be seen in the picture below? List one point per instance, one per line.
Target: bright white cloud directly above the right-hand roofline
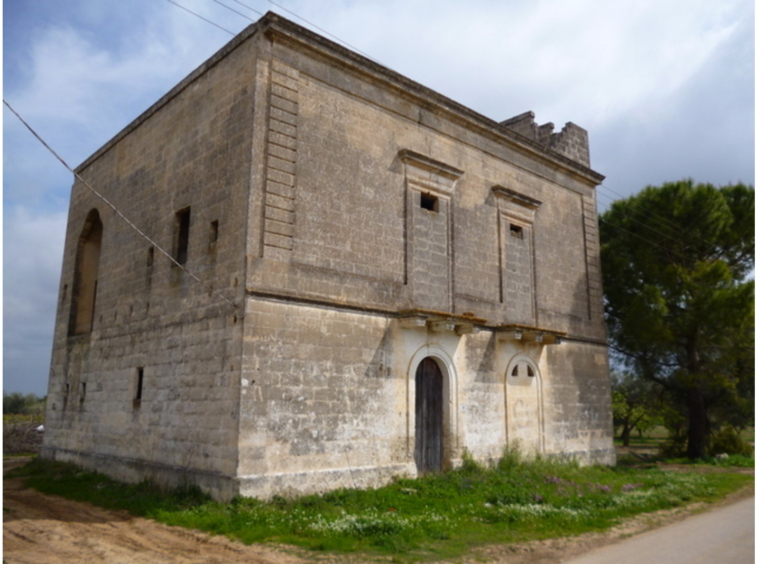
(584, 61)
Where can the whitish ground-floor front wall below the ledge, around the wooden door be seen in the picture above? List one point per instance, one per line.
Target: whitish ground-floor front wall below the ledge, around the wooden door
(328, 398)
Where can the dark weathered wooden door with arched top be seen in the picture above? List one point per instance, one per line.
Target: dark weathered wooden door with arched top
(428, 451)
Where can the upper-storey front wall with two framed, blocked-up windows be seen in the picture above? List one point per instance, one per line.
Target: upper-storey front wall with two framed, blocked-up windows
(369, 226)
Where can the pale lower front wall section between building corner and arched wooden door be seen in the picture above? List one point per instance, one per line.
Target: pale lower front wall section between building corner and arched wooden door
(323, 404)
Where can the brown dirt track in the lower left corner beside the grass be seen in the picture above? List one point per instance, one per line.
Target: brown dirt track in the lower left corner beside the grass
(41, 529)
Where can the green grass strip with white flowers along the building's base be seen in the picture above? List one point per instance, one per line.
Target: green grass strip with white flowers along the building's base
(433, 517)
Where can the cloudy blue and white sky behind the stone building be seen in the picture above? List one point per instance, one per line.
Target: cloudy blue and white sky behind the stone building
(665, 88)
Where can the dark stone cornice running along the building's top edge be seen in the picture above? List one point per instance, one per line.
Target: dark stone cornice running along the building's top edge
(273, 24)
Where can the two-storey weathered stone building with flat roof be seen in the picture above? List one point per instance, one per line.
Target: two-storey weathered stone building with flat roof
(387, 279)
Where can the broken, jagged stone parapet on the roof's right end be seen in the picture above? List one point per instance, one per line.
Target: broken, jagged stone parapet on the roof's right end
(571, 142)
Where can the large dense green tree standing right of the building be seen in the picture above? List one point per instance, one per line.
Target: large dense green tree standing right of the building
(677, 266)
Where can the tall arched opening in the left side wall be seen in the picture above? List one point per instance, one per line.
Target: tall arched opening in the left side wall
(84, 290)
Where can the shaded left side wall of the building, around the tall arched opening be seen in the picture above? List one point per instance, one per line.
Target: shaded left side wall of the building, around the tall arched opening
(155, 382)
